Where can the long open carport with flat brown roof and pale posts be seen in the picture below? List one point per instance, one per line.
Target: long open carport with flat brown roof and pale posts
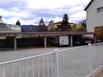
(16, 35)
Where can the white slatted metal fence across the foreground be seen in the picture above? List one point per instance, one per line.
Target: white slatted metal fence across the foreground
(75, 62)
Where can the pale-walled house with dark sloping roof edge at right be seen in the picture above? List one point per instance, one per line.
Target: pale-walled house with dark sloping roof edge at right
(94, 14)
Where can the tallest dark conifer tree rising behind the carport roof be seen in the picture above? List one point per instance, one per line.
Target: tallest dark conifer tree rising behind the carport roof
(65, 24)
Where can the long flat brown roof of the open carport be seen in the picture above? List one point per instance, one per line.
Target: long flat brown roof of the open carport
(43, 34)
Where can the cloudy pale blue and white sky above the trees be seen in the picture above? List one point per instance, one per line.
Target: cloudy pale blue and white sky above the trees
(31, 11)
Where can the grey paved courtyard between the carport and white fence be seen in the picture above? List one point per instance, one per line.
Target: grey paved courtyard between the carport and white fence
(12, 55)
